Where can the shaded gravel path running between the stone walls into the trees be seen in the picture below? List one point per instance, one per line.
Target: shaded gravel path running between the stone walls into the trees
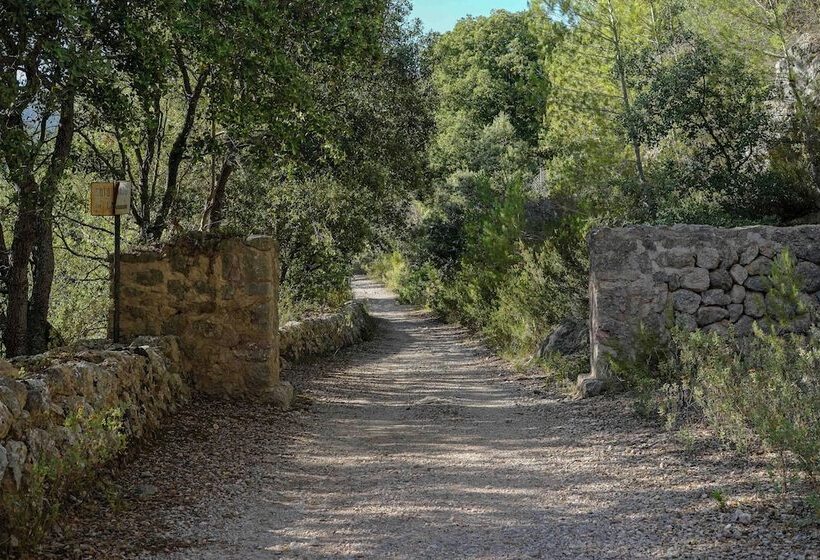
(421, 444)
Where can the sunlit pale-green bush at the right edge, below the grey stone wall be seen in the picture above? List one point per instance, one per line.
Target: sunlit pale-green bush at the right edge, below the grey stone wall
(764, 390)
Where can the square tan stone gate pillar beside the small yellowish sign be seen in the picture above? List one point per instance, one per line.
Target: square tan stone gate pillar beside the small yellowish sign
(219, 296)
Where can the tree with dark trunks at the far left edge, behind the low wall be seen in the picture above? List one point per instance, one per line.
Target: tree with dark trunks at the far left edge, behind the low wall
(47, 61)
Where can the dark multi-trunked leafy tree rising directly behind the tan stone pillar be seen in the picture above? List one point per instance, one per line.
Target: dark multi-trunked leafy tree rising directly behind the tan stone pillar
(216, 80)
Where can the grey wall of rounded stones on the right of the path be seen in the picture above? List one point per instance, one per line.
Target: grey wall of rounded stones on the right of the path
(692, 276)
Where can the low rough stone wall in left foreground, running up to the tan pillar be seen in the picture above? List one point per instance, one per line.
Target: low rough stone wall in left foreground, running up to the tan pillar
(63, 412)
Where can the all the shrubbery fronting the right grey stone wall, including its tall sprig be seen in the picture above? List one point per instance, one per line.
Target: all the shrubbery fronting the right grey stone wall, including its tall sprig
(754, 391)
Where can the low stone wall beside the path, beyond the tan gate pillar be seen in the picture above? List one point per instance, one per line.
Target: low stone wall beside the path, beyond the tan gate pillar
(325, 334)
